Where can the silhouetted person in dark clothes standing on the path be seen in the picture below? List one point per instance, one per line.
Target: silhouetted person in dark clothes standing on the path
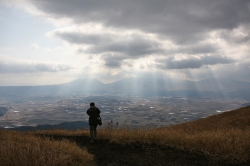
(93, 113)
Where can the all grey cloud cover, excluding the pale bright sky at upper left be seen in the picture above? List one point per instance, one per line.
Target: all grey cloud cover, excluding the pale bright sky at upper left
(117, 38)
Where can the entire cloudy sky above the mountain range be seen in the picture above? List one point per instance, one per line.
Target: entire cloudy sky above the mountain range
(57, 41)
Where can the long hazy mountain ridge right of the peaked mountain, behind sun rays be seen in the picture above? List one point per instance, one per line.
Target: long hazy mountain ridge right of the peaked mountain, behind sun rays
(162, 86)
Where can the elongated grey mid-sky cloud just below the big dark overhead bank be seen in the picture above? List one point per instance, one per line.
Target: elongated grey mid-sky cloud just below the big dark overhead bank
(133, 45)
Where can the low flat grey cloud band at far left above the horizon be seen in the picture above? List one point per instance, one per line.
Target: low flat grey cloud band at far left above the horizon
(16, 67)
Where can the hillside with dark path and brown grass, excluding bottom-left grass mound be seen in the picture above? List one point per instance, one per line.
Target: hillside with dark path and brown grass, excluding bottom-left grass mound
(217, 140)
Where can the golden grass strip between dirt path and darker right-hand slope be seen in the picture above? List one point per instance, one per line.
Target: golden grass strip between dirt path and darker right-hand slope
(228, 143)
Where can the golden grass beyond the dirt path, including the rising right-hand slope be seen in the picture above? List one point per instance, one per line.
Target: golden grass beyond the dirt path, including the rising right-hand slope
(226, 134)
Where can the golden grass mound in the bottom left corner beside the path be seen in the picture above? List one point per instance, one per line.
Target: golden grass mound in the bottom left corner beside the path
(22, 149)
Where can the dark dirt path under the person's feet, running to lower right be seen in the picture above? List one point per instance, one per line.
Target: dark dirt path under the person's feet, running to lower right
(138, 154)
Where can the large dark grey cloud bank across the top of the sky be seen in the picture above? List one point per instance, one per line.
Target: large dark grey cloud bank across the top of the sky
(182, 21)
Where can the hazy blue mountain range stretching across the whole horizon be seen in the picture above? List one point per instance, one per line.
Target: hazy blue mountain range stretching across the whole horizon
(142, 86)
